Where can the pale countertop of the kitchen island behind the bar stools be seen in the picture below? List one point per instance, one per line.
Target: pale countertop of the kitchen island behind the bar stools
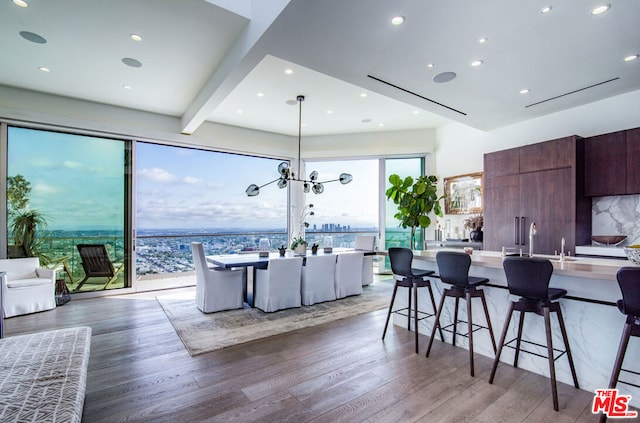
(582, 267)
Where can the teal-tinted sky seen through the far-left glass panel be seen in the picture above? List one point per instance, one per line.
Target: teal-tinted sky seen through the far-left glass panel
(77, 182)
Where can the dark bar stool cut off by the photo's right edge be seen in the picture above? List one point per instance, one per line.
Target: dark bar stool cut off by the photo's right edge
(629, 305)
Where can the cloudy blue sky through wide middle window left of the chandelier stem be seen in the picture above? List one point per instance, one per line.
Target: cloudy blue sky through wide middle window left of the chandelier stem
(187, 188)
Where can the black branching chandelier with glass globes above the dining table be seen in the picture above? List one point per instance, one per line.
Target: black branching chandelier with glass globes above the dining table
(287, 175)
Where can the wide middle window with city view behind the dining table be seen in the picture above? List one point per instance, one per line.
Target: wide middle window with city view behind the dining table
(186, 194)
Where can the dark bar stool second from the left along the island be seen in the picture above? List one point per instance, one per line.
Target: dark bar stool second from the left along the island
(454, 271)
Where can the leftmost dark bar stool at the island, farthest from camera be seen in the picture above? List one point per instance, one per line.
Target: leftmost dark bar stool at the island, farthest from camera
(401, 260)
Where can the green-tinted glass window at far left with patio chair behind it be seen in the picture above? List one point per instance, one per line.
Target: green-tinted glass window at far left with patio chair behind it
(64, 190)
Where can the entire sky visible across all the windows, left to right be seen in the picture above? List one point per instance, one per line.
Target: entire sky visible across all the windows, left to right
(78, 183)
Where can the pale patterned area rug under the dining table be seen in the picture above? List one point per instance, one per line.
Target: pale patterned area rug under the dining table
(201, 333)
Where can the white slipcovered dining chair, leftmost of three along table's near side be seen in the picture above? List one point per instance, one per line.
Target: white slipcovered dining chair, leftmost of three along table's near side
(278, 286)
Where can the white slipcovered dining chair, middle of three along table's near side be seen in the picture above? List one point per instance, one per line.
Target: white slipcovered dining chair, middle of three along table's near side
(318, 276)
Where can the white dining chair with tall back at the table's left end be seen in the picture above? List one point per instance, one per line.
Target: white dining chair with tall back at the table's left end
(217, 289)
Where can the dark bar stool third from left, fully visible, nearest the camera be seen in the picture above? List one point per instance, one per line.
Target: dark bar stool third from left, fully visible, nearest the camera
(529, 279)
